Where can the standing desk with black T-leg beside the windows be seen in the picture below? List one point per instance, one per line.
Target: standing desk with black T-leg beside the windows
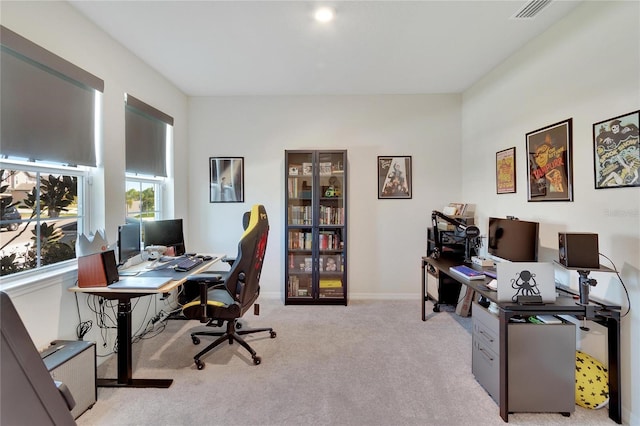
(124, 296)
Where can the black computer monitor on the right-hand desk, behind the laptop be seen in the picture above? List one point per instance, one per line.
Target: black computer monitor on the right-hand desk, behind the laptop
(512, 239)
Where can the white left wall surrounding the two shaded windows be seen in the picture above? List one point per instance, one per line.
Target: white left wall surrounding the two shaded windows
(47, 308)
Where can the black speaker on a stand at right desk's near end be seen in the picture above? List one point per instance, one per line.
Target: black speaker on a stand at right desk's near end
(578, 250)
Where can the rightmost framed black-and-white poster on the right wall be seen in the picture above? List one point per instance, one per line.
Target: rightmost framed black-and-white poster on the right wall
(616, 151)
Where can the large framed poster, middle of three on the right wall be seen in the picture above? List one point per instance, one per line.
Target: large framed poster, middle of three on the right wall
(549, 163)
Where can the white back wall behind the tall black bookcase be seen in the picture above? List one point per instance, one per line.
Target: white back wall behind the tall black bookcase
(386, 238)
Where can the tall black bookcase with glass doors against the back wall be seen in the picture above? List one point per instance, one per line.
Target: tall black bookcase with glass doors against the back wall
(316, 227)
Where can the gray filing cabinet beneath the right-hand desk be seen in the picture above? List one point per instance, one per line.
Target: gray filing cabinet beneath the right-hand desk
(541, 363)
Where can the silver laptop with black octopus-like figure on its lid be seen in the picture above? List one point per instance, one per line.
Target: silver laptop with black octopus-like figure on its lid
(526, 279)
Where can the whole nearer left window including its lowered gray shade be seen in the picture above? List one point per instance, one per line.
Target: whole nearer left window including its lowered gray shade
(50, 114)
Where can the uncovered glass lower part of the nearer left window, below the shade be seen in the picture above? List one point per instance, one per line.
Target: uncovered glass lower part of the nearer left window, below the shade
(41, 214)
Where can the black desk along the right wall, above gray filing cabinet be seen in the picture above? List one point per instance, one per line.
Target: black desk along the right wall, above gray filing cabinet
(600, 312)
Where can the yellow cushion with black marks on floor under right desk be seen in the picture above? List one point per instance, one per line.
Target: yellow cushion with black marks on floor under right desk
(592, 382)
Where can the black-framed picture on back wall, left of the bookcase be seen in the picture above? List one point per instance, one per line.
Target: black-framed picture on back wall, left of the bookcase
(226, 179)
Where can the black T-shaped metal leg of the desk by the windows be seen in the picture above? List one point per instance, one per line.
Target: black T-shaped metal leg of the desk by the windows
(125, 359)
